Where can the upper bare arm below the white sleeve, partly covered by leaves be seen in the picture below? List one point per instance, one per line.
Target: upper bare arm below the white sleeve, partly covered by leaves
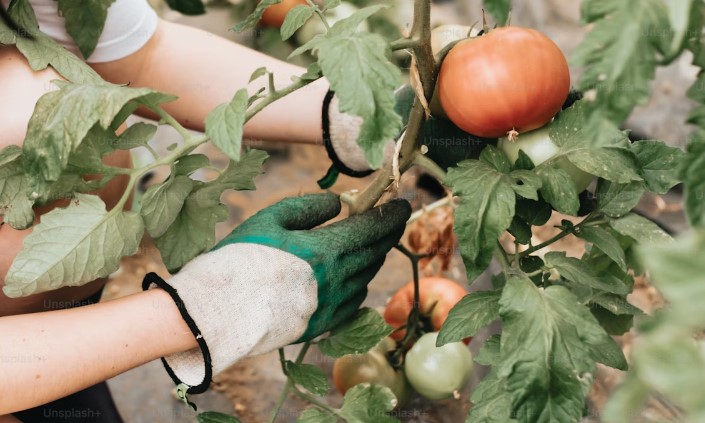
(205, 70)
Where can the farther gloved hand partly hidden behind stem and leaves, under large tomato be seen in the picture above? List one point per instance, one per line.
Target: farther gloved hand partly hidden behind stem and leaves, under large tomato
(447, 144)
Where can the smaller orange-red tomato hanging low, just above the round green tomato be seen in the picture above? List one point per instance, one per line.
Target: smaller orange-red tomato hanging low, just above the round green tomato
(436, 297)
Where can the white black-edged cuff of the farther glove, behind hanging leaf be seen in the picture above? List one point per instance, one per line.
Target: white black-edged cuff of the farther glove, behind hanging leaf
(340, 134)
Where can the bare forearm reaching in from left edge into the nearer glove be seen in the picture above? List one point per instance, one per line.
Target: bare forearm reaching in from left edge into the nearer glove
(57, 353)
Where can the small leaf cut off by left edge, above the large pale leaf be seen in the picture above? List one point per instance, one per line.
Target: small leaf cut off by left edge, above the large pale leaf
(15, 205)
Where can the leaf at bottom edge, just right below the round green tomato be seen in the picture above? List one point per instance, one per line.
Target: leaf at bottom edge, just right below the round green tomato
(491, 401)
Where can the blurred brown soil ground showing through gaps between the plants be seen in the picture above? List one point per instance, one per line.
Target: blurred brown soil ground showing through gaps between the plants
(250, 388)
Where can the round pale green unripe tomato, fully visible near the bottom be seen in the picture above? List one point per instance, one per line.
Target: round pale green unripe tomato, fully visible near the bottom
(438, 372)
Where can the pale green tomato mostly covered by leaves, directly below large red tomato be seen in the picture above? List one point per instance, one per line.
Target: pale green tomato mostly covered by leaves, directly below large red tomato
(537, 144)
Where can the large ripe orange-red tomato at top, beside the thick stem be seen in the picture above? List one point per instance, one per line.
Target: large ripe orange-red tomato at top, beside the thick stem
(511, 79)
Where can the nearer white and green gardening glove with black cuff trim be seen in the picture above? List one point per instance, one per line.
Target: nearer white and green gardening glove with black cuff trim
(276, 280)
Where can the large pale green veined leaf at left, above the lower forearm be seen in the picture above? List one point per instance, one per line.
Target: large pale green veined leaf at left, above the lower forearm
(73, 246)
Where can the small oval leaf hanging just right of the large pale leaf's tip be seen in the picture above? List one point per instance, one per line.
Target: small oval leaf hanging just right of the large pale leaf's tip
(162, 203)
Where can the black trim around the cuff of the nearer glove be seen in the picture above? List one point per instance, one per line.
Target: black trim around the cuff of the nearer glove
(153, 278)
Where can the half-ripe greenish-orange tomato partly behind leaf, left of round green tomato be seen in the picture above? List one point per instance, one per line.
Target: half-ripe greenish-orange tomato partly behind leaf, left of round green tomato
(371, 367)
